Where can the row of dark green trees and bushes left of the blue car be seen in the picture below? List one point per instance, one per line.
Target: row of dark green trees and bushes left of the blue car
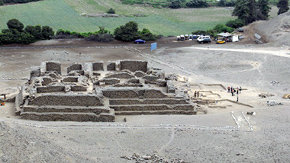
(17, 33)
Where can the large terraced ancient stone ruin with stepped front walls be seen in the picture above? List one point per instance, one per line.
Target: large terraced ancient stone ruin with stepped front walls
(98, 92)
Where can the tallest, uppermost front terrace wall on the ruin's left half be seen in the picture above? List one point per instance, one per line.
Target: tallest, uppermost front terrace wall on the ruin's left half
(67, 100)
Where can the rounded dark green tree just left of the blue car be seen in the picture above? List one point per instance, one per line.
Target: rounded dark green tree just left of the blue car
(127, 32)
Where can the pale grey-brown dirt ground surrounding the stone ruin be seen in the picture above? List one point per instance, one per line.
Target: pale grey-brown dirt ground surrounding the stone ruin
(222, 135)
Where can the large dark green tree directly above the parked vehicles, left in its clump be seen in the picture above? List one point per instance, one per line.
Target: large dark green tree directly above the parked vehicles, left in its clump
(246, 10)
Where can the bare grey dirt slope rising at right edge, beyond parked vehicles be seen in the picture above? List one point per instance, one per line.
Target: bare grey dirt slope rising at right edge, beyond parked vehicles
(276, 30)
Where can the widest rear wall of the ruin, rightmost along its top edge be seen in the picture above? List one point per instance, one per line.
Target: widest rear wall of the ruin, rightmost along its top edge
(134, 66)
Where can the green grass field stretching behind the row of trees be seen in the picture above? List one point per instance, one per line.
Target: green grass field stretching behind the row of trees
(66, 14)
